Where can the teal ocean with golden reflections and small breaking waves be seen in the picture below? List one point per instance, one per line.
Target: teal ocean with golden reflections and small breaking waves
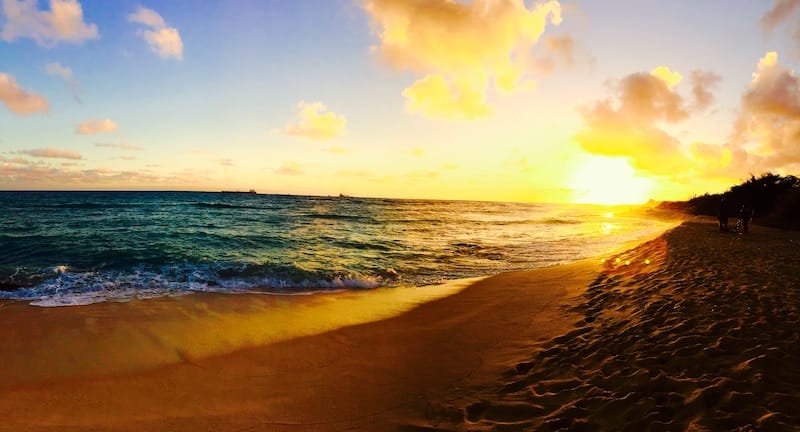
(75, 248)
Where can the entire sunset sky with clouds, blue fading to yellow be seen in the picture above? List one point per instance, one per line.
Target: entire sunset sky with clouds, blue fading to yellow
(618, 101)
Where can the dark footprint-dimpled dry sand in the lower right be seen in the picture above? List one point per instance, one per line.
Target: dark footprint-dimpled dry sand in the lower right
(697, 330)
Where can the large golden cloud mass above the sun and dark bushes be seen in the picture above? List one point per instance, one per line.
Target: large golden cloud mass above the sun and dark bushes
(763, 137)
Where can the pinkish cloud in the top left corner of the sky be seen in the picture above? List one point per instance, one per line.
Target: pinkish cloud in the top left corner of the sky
(62, 23)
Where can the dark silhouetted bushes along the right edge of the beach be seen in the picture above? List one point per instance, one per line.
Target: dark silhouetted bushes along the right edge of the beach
(775, 200)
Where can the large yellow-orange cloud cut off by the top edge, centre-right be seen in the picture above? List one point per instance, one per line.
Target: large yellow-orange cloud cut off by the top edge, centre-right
(459, 49)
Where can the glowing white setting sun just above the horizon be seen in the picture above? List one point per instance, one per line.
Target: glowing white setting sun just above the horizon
(609, 181)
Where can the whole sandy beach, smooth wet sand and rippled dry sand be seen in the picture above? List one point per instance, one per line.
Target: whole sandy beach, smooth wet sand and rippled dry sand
(693, 330)
